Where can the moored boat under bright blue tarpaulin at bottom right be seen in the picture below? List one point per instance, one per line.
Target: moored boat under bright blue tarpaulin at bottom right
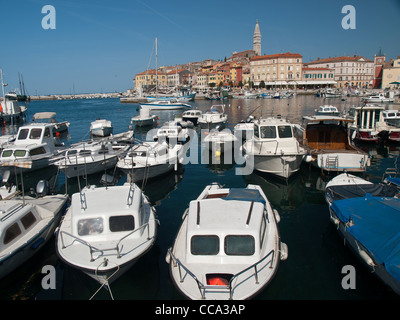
(370, 227)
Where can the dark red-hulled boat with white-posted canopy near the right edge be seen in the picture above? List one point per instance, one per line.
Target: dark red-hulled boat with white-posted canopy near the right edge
(369, 125)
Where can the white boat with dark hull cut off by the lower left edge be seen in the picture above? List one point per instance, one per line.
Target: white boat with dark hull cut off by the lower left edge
(27, 224)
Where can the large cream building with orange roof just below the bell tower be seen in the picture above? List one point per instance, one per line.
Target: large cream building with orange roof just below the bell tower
(276, 69)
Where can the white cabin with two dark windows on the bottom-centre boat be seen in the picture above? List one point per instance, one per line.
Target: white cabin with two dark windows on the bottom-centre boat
(227, 226)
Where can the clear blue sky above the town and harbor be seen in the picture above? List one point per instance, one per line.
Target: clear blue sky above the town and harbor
(100, 45)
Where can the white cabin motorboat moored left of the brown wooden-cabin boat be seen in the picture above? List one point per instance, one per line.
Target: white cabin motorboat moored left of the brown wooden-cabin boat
(274, 148)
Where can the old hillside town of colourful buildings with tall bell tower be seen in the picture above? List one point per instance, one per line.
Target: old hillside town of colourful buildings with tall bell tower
(249, 69)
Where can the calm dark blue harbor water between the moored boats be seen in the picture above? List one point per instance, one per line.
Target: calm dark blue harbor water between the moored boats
(317, 255)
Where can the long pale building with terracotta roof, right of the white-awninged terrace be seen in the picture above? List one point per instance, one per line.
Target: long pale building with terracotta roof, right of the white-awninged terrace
(355, 71)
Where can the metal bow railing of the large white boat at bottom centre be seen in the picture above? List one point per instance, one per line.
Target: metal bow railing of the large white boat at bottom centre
(231, 286)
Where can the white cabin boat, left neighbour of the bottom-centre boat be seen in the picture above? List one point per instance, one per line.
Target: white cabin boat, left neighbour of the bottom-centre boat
(106, 230)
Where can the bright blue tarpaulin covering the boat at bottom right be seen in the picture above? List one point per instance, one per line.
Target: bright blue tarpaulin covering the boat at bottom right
(376, 227)
